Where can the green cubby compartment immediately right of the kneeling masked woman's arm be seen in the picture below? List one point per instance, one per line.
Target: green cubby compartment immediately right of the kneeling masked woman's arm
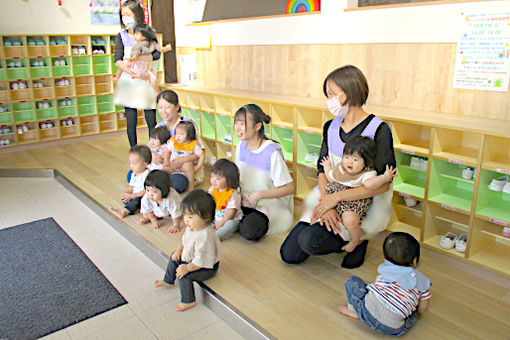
(411, 176)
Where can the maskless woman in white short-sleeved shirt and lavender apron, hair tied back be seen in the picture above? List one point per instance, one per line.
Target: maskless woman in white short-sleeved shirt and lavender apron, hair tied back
(266, 184)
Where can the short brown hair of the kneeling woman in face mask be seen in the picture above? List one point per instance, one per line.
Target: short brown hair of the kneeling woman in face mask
(352, 81)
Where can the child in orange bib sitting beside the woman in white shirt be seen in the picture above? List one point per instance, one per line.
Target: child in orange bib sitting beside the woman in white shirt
(225, 182)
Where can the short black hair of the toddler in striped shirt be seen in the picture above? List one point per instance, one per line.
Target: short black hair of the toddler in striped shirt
(401, 249)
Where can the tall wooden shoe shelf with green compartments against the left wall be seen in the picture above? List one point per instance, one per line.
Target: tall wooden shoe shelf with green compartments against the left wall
(90, 89)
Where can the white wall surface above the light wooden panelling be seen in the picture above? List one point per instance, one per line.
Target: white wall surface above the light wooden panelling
(423, 24)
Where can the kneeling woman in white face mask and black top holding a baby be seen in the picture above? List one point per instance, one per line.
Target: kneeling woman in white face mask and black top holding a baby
(347, 90)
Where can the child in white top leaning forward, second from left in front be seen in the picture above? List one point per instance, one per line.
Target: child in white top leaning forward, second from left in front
(160, 200)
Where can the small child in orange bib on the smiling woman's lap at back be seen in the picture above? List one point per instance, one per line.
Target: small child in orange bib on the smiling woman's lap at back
(183, 144)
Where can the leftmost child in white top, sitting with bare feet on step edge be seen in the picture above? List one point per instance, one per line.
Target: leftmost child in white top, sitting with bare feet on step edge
(139, 158)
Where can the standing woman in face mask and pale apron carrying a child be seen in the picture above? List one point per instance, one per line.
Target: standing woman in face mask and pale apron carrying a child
(132, 91)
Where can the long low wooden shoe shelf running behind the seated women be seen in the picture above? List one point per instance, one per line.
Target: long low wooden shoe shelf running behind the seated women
(445, 200)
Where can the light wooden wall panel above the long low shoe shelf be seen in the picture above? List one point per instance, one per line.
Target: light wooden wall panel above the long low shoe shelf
(417, 76)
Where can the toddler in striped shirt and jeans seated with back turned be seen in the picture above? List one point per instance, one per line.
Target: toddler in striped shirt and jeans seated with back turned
(391, 303)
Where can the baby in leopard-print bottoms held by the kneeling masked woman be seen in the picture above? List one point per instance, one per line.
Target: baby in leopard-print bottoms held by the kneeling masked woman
(354, 170)
